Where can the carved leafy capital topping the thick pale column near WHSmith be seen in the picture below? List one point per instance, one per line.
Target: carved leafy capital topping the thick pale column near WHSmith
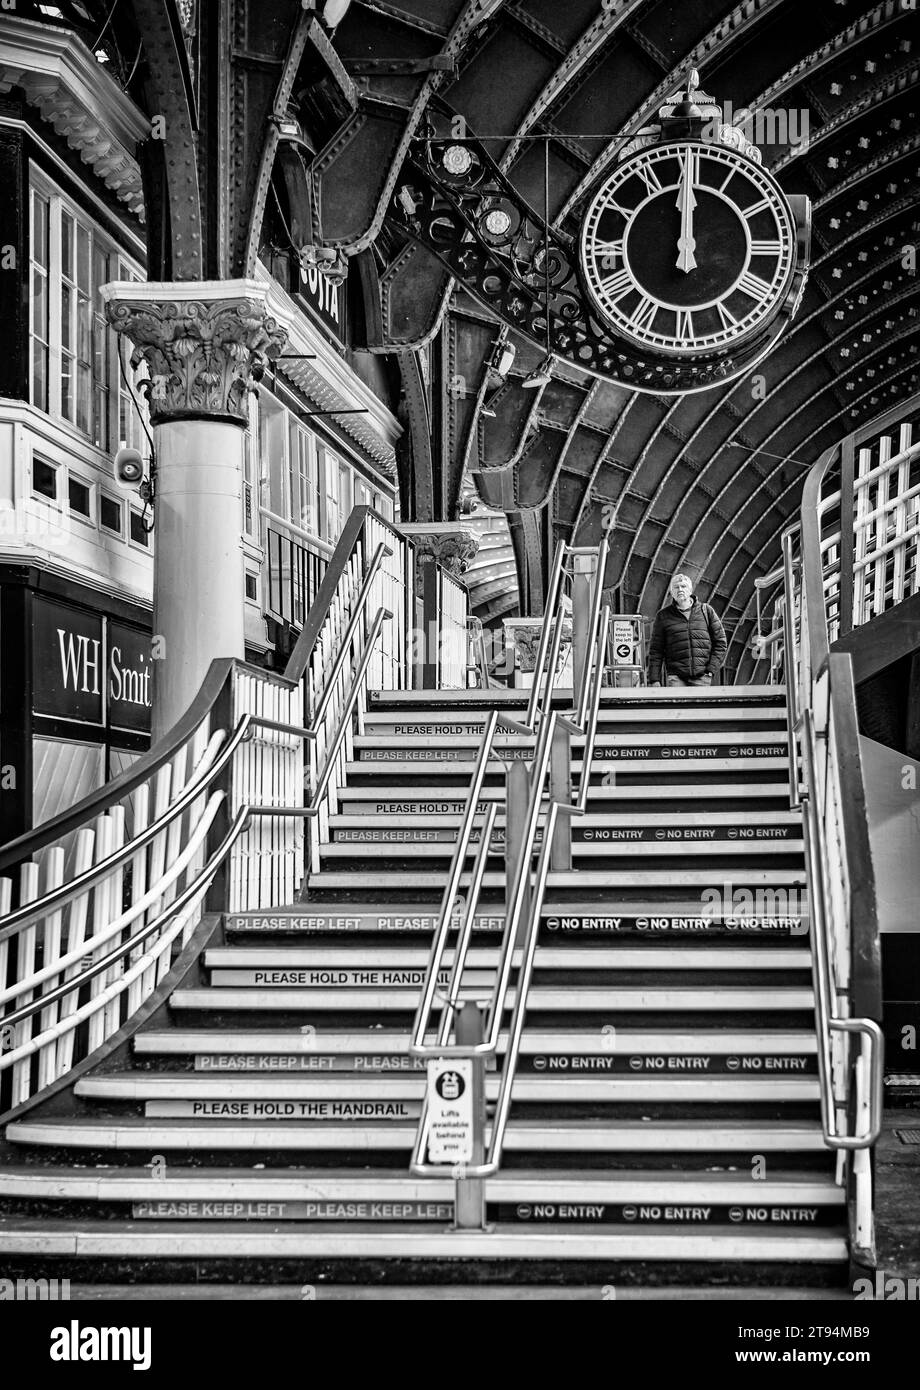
(202, 343)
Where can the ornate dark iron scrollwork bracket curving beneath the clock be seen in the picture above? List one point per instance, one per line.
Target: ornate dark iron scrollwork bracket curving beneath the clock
(457, 202)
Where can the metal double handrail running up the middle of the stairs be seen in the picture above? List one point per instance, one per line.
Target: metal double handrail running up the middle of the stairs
(541, 800)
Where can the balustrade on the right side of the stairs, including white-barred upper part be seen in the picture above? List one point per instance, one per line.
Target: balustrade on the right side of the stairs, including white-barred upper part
(853, 557)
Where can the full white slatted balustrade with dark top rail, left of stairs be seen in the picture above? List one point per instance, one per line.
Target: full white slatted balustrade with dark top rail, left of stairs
(97, 903)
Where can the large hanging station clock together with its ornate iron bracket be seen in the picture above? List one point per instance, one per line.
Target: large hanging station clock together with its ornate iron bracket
(689, 265)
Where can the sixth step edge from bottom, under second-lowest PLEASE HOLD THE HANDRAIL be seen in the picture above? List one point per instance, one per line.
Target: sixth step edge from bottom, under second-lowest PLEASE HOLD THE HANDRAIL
(541, 999)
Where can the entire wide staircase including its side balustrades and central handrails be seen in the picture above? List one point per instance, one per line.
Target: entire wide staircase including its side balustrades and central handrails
(224, 978)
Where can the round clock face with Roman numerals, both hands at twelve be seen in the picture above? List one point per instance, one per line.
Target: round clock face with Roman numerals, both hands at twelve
(689, 248)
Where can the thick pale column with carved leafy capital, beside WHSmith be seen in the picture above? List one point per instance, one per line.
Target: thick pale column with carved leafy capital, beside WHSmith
(202, 343)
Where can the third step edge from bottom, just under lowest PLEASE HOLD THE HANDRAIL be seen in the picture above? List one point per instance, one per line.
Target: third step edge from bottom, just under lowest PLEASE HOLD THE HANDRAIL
(597, 1136)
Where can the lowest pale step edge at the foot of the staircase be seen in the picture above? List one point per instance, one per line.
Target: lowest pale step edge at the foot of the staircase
(219, 1241)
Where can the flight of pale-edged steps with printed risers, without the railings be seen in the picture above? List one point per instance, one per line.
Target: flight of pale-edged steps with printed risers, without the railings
(665, 1118)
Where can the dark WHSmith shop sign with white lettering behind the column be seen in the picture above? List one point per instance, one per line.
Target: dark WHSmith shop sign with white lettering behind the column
(90, 669)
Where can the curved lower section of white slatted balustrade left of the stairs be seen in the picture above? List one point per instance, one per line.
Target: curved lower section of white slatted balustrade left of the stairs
(95, 904)
